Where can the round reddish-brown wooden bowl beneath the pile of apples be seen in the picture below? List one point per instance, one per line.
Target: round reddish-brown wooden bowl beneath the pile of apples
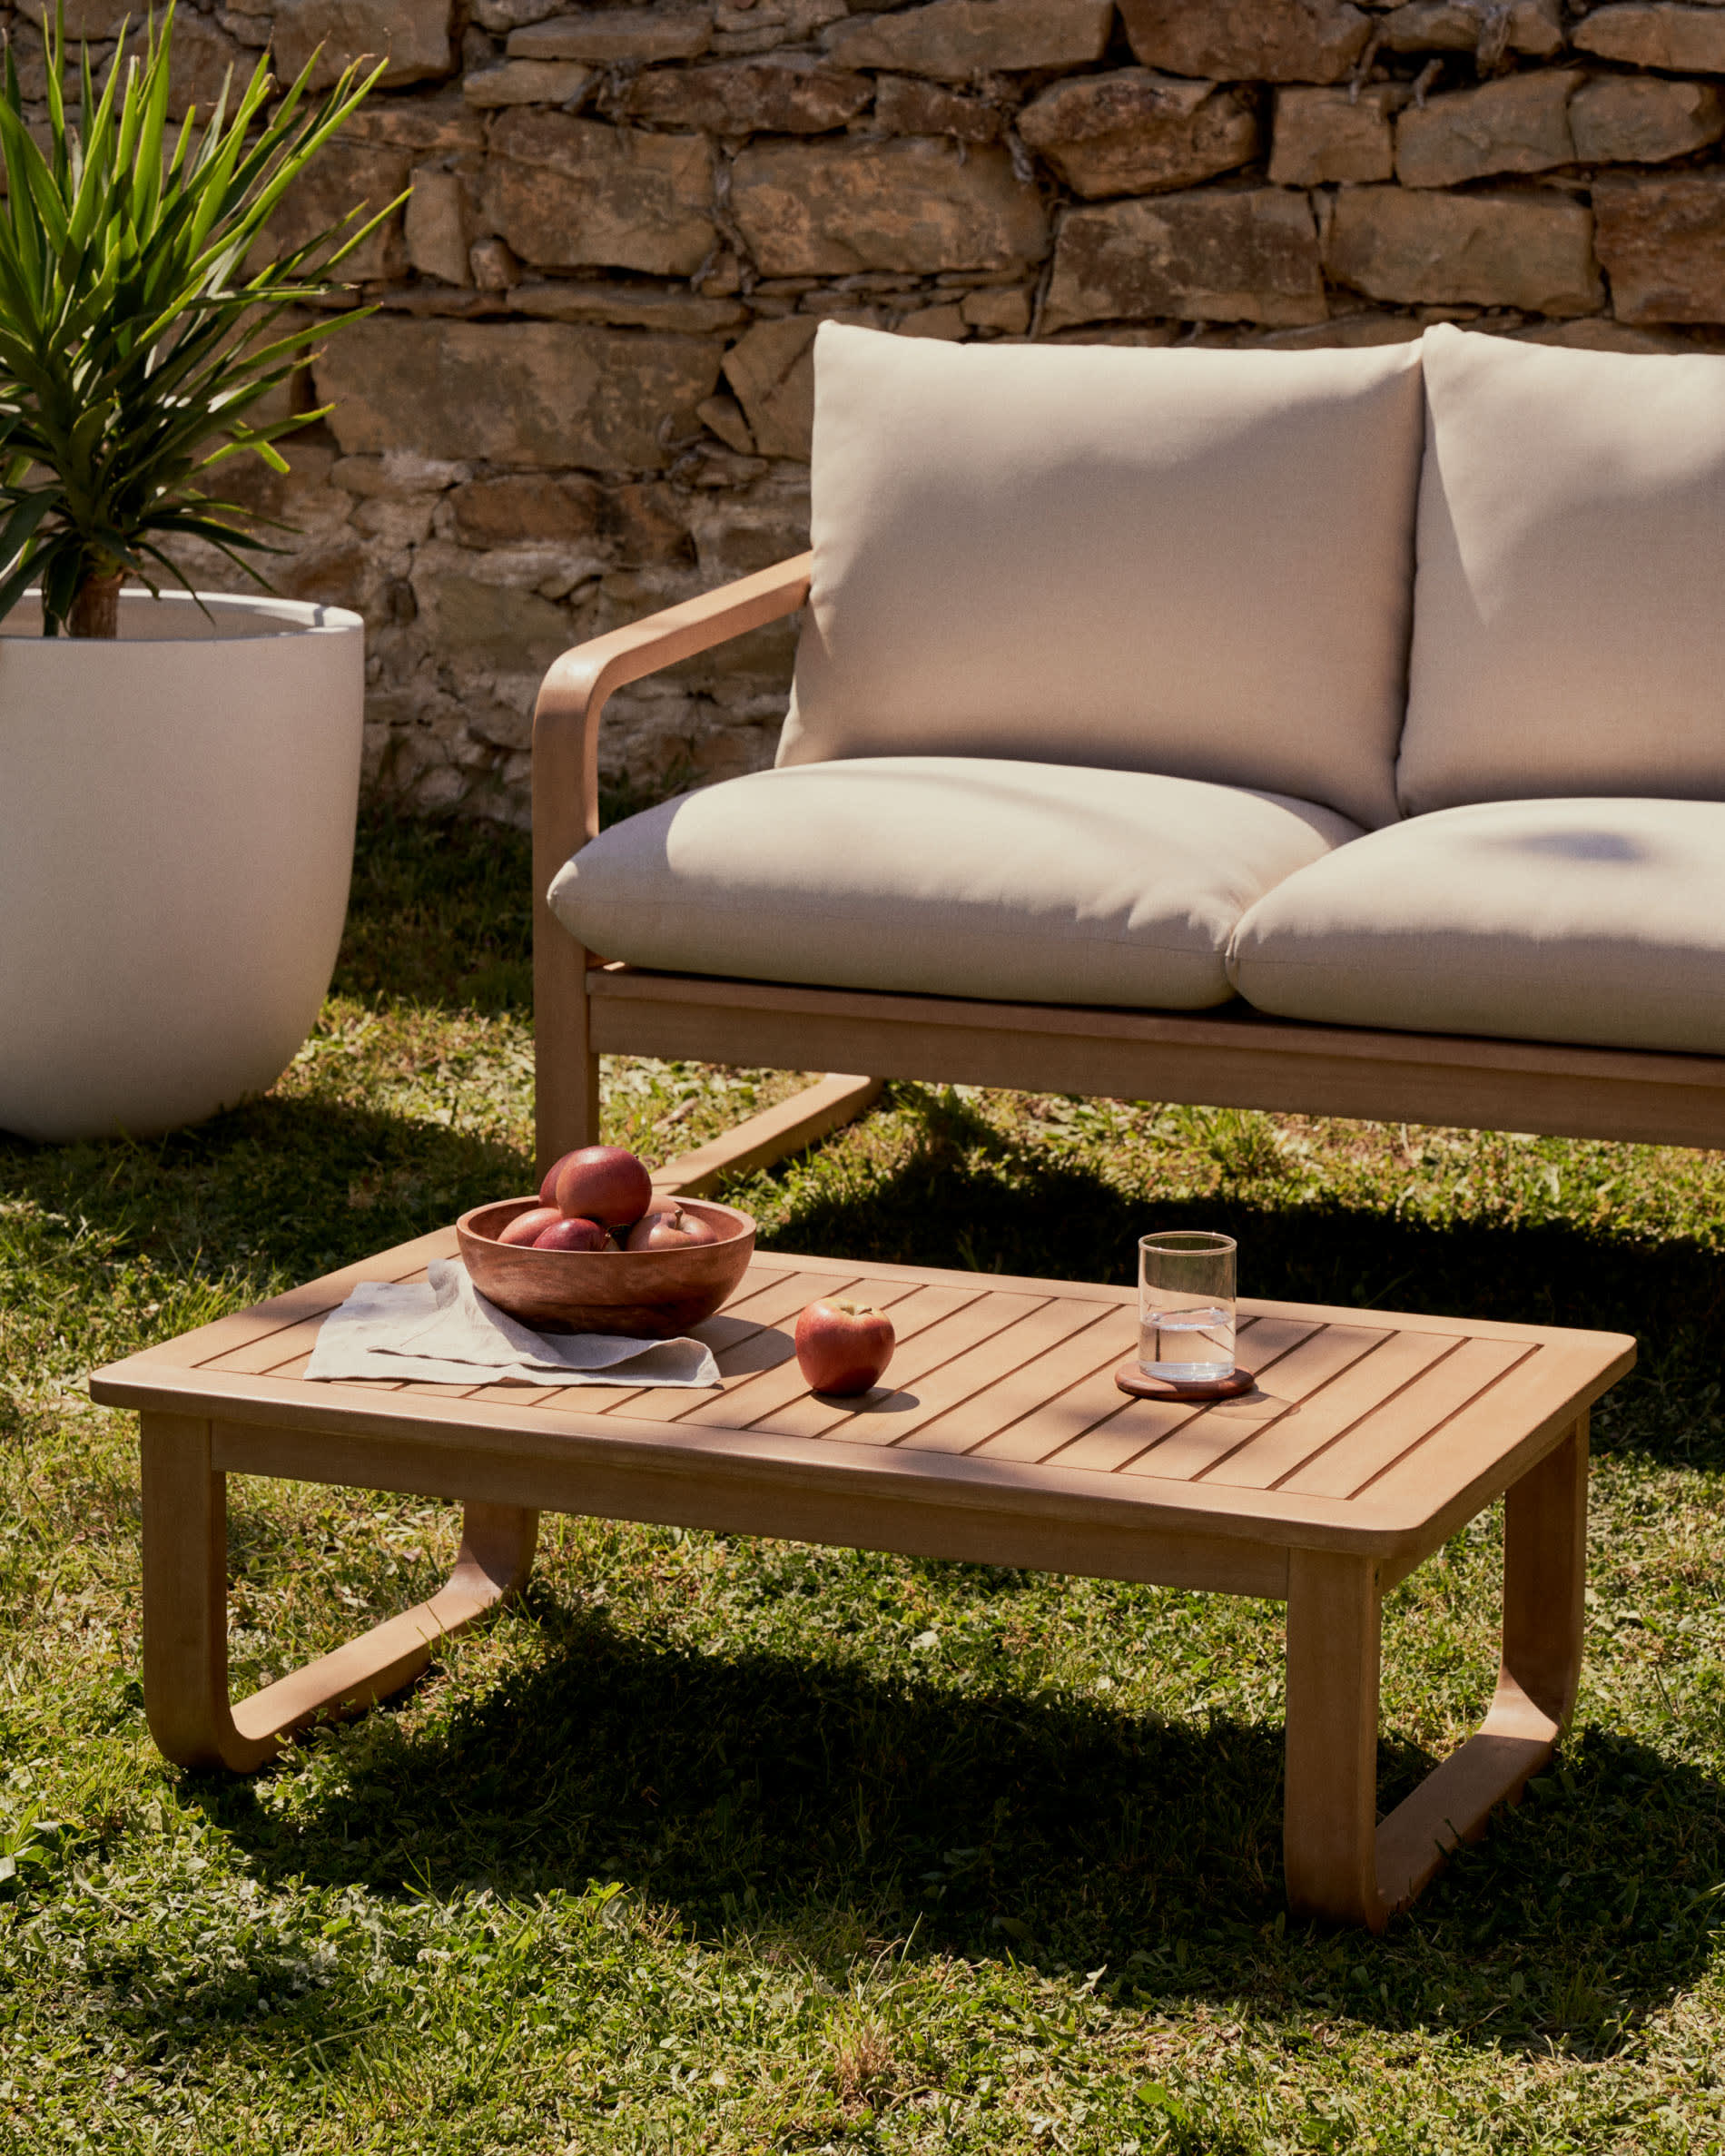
(644, 1295)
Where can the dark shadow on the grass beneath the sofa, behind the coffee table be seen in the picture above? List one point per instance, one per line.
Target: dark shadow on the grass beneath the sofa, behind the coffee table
(969, 1198)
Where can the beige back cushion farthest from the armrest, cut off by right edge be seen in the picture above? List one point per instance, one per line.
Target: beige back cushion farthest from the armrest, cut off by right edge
(1571, 598)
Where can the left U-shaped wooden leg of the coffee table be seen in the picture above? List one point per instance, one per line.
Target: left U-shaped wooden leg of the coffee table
(187, 1614)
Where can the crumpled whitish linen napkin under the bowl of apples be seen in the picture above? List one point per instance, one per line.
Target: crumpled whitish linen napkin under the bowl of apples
(447, 1333)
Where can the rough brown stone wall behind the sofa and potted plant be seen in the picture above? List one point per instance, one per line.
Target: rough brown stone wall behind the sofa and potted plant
(588, 389)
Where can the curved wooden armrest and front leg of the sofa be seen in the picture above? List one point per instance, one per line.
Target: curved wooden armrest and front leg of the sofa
(566, 816)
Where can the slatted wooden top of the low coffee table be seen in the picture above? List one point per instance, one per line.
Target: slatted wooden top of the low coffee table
(1368, 1431)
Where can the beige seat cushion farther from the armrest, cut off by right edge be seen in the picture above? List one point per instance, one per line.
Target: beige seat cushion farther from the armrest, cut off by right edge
(1595, 922)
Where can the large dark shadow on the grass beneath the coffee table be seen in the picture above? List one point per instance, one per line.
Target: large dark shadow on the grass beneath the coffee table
(816, 1806)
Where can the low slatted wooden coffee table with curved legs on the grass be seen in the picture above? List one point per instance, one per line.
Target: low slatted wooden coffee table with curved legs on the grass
(1004, 1441)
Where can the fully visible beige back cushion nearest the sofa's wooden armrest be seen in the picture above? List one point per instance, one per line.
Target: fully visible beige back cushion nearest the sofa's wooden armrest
(1163, 562)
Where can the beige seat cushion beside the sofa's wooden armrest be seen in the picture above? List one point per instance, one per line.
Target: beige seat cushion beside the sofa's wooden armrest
(946, 876)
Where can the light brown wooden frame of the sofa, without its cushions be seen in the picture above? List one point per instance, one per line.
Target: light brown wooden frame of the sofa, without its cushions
(1232, 1058)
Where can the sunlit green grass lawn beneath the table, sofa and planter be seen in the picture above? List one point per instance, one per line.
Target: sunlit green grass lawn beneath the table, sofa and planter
(749, 1847)
